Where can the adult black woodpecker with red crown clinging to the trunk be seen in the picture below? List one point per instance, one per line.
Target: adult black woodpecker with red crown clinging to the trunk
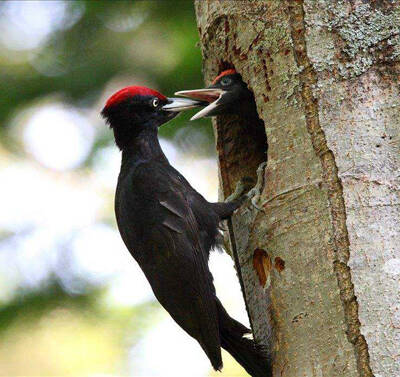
(169, 228)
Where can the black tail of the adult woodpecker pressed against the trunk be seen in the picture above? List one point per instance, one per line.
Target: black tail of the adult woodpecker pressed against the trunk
(244, 350)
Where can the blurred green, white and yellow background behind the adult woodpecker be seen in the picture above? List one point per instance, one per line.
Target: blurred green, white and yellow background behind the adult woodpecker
(72, 300)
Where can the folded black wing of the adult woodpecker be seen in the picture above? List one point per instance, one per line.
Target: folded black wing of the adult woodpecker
(160, 230)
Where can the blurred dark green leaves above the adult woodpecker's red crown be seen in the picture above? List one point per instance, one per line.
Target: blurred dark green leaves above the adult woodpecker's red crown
(147, 42)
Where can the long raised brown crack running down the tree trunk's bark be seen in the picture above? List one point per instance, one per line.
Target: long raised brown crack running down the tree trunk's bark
(307, 78)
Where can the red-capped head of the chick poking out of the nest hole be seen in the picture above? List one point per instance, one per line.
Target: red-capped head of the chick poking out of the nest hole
(227, 94)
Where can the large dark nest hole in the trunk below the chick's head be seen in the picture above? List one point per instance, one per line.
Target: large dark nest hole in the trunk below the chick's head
(241, 142)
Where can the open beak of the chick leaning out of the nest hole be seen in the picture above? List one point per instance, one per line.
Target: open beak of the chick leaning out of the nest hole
(212, 96)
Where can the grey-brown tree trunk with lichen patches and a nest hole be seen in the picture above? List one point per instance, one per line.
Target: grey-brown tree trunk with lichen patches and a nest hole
(325, 75)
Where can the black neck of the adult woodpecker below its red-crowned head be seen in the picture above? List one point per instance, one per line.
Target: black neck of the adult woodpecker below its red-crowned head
(144, 147)
